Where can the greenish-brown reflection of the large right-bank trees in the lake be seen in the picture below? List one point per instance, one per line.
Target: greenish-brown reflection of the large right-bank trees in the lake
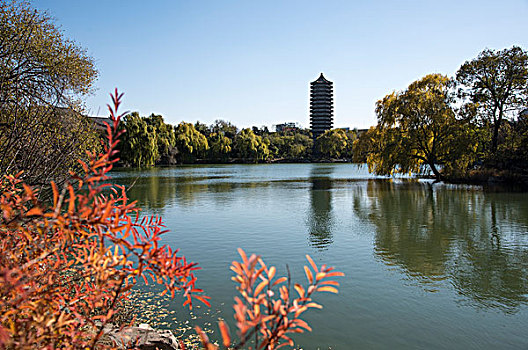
(468, 237)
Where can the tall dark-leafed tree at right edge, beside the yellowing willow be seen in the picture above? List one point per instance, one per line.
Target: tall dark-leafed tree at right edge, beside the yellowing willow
(497, 81)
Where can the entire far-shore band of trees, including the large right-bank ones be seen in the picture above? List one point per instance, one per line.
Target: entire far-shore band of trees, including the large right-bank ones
(469, 127)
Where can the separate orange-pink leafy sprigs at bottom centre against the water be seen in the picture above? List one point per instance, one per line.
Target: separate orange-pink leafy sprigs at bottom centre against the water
(265, 317)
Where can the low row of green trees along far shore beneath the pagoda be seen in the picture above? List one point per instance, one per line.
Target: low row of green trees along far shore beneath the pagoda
(150, 141)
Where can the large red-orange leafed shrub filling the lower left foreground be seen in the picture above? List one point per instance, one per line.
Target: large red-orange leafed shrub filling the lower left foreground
(67, 264)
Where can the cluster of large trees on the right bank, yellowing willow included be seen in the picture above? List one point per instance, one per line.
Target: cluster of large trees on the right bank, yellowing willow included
(470, 126)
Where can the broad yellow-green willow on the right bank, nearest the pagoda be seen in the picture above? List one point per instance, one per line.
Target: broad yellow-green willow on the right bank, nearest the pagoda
(417, 129)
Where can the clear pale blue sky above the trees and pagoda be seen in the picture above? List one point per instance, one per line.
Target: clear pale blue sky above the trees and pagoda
(250, 62)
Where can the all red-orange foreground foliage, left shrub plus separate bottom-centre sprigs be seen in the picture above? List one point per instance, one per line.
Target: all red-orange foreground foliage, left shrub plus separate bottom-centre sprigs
(66, 265)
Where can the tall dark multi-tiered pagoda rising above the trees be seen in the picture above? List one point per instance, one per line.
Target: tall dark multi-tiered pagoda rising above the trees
(321, 106)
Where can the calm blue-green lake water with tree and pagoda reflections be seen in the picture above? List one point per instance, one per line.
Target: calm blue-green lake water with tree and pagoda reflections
(428, 266)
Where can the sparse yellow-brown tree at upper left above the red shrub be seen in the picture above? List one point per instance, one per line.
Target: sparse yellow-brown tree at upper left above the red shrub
(43, 78)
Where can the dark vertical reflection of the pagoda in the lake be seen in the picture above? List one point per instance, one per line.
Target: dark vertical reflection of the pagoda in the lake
(320, 221)
